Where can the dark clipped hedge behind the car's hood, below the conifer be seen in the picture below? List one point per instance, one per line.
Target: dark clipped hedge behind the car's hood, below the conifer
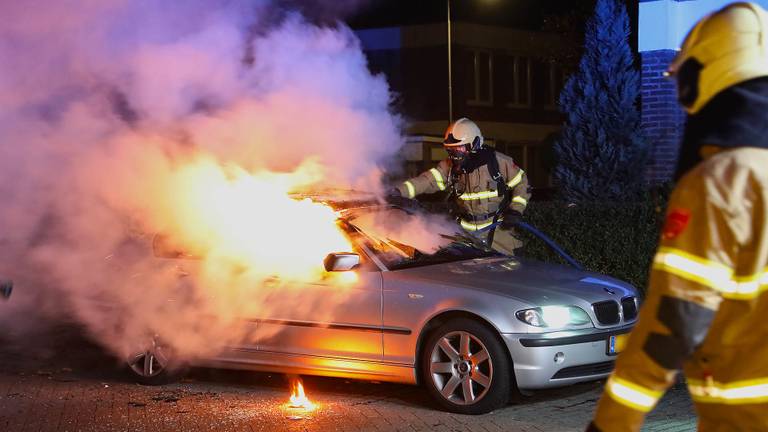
(617, 239)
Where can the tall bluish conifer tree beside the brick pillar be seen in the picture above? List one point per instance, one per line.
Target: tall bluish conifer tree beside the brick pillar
(601, 153)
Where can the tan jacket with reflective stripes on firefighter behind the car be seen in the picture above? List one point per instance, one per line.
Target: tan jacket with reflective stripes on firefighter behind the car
(476, 191)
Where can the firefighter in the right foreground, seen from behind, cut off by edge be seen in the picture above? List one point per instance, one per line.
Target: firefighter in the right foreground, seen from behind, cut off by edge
(707, 301)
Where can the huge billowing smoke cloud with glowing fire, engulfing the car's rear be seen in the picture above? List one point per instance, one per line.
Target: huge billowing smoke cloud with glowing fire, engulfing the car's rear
(120, 119)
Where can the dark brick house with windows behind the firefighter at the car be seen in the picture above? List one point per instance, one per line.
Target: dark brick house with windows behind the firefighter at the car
(503, 78)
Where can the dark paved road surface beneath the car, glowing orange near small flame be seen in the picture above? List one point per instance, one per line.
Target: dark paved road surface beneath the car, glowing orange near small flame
(60, 381)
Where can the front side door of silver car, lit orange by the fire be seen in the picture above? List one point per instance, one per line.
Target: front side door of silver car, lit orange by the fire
(339, 317)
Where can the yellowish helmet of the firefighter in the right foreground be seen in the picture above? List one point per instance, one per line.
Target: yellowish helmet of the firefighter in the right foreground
(724, 48)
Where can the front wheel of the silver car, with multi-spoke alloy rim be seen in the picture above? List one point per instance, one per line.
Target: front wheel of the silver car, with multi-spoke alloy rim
(465, 368)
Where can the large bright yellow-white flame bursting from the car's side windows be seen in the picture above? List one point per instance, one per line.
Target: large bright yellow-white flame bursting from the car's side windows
(230, 215)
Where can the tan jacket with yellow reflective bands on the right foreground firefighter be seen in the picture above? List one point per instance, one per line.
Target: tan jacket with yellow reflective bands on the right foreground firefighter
(707, 305)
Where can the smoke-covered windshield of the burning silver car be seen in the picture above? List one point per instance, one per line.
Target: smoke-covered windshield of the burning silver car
(403, 240)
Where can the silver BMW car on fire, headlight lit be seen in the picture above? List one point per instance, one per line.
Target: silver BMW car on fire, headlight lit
(471, 325)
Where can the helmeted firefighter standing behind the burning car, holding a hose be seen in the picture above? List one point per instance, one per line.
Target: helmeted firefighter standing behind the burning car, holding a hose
(490, 189)
